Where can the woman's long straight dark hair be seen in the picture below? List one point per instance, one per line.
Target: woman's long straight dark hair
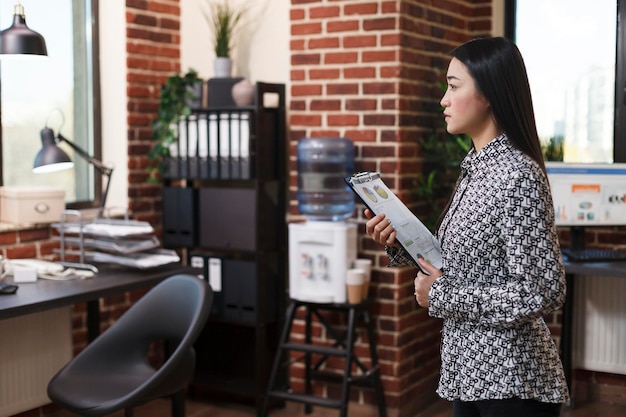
(498, 69)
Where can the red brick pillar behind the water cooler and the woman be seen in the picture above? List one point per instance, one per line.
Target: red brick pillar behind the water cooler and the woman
(368, 71)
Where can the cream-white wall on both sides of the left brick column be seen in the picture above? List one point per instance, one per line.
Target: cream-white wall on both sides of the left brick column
(262, 54)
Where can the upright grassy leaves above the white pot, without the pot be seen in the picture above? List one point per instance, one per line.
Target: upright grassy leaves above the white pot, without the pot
(224, 20)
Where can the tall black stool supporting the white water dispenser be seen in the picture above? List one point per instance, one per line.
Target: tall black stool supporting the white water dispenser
(342, 347)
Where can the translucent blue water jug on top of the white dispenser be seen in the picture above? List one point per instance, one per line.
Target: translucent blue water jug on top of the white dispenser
(323, 164)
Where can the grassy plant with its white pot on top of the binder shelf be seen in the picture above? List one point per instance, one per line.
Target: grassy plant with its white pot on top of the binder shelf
(224, 21)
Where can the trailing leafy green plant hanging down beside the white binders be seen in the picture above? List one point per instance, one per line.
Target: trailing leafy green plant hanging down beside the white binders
(173, 103)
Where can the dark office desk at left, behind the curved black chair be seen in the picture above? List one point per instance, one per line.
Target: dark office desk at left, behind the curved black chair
(48, 294)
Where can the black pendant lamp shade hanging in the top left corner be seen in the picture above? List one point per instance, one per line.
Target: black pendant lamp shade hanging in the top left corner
(19, 39)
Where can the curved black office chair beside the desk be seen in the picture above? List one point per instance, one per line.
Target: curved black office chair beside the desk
(113, 372)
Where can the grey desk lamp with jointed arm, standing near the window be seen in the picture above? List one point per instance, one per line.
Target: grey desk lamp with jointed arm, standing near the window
(51, 158)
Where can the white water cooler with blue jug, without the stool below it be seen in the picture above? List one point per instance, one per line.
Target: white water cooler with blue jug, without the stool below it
(323, 248)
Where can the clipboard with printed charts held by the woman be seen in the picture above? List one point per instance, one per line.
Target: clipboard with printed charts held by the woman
(411, 233)
